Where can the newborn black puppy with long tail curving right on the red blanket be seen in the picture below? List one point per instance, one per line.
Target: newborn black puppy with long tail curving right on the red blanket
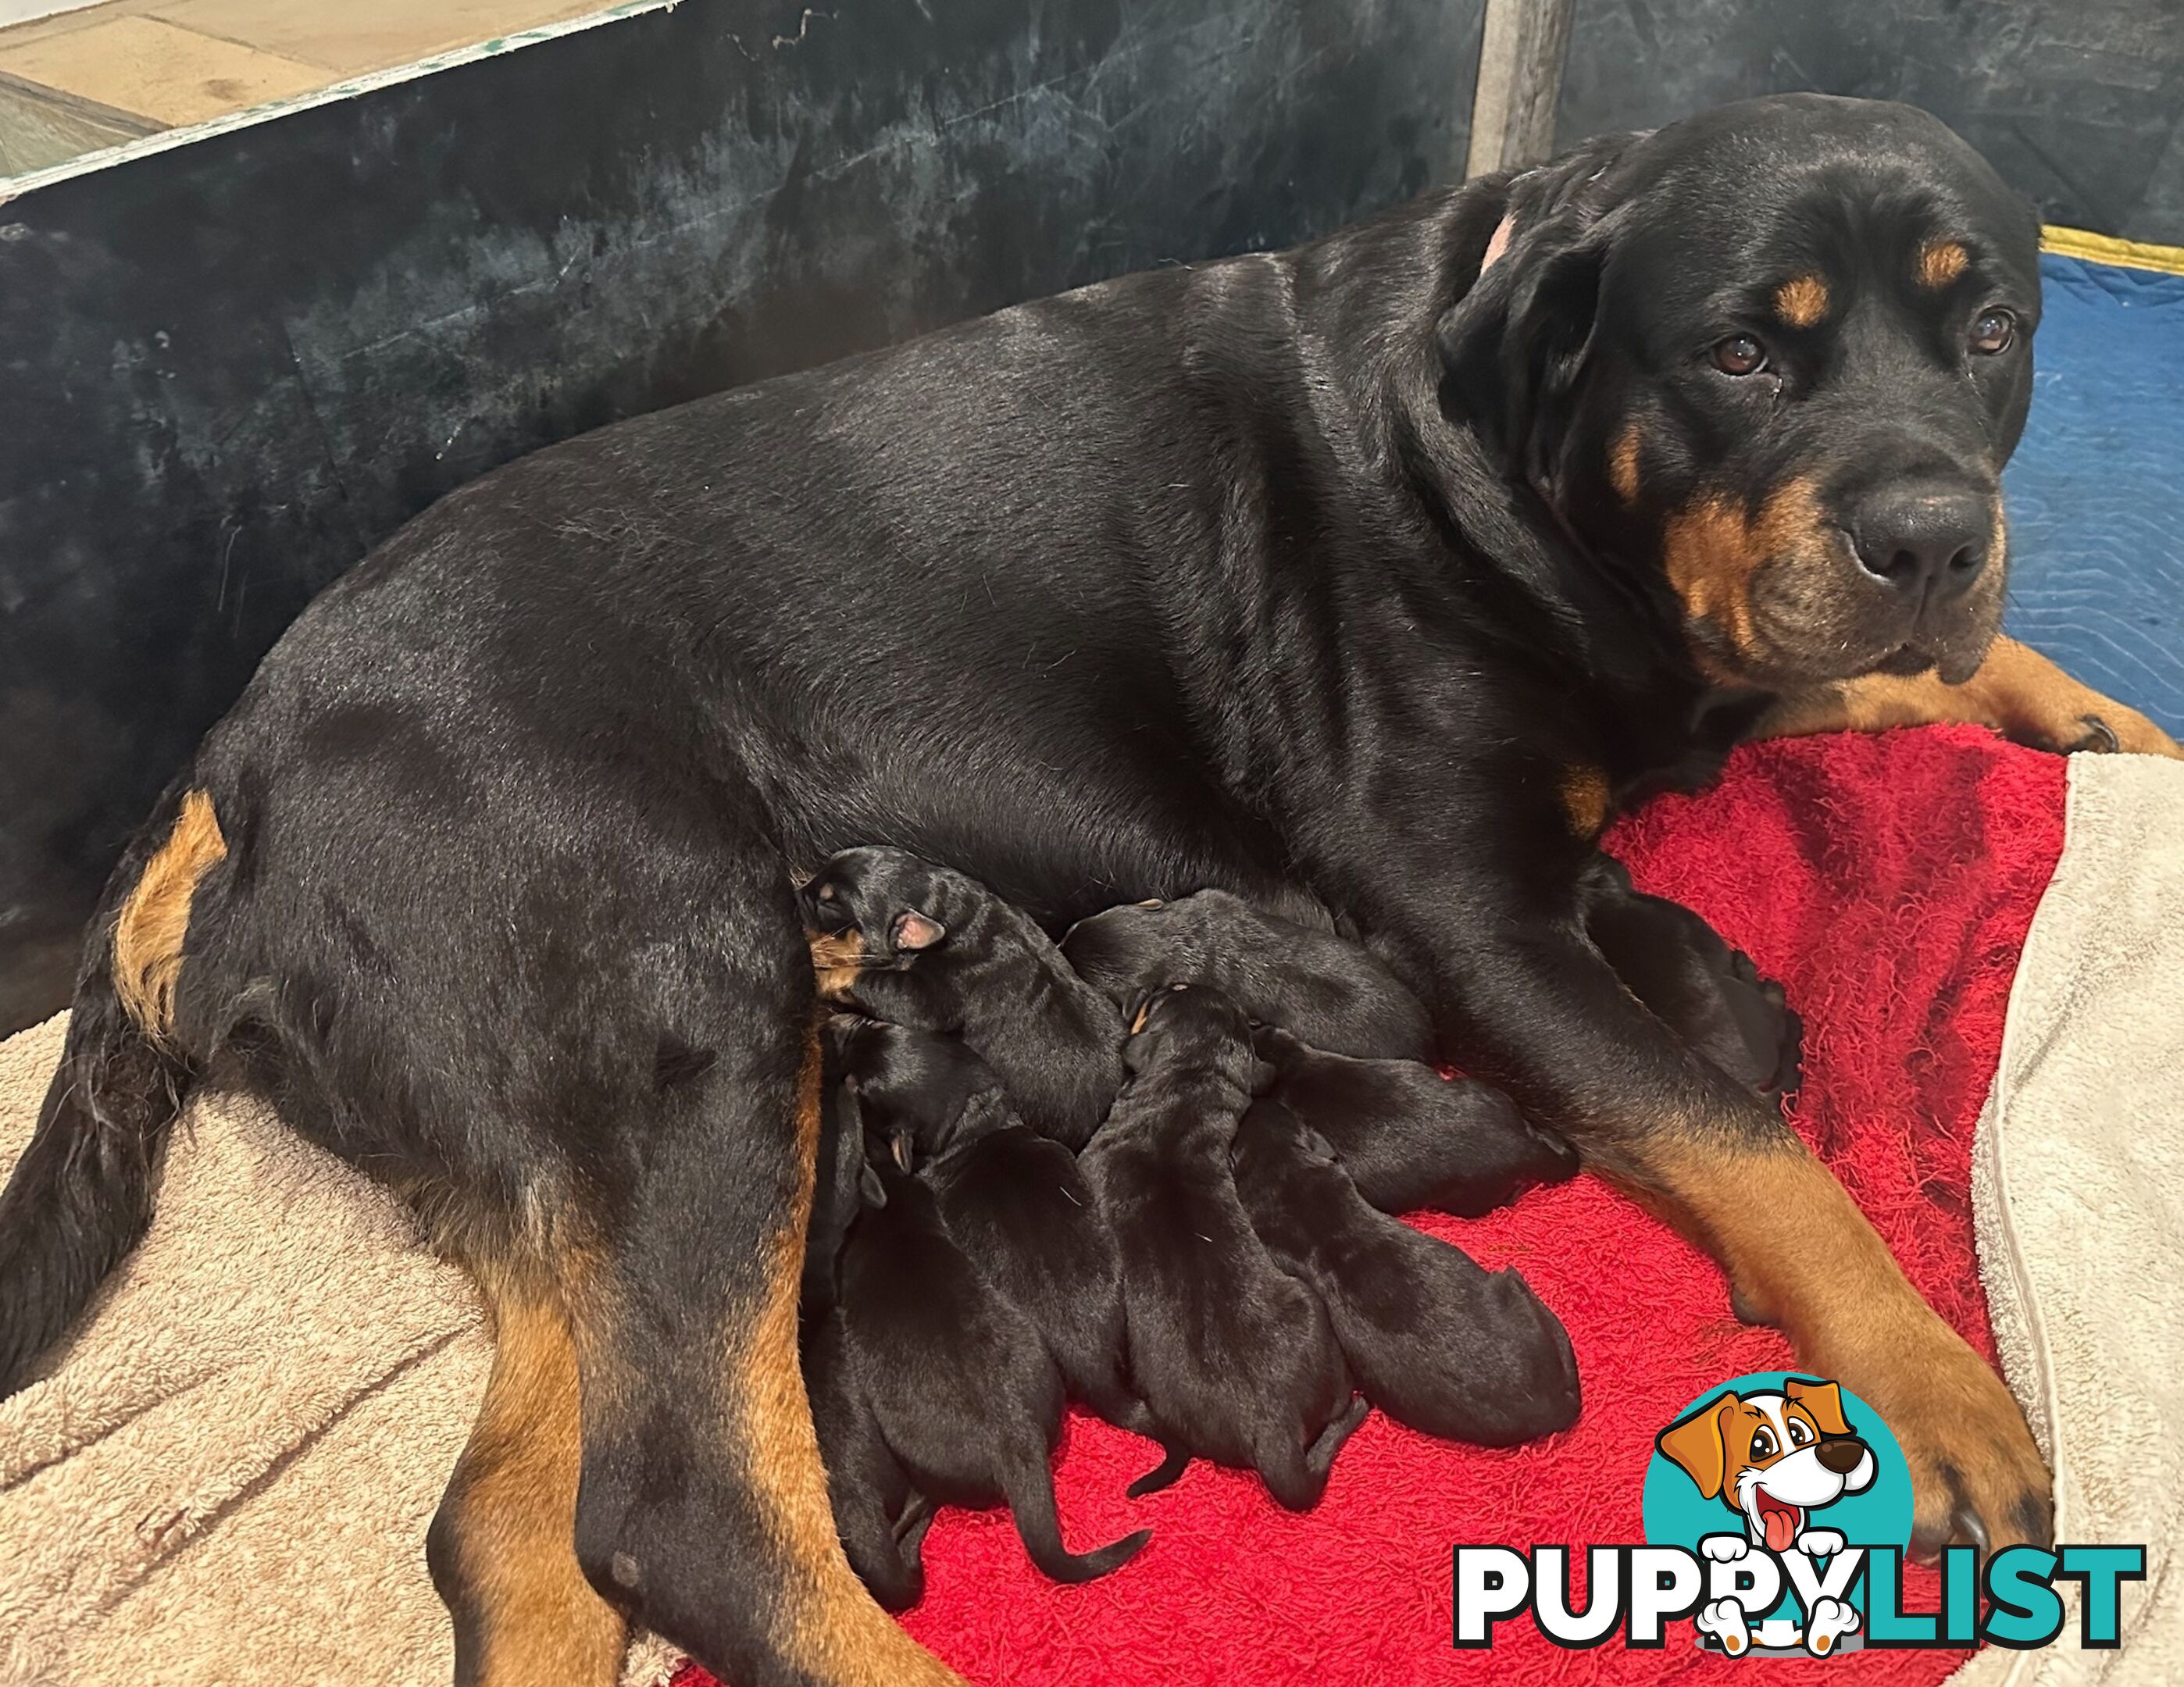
(955, 1376)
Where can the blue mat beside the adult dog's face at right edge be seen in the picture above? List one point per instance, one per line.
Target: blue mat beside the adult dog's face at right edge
(2098, 488)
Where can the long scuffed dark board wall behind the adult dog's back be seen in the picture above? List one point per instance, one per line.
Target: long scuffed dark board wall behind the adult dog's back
(228, 370)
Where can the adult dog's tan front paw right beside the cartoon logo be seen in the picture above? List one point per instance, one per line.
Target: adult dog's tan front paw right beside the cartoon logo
(1975, 1472)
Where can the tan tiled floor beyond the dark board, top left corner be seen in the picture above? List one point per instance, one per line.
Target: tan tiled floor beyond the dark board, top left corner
(108, 73)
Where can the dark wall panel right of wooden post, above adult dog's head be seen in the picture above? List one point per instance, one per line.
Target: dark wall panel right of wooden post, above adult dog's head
(2080, 104)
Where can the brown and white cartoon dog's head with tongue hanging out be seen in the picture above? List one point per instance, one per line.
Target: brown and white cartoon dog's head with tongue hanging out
(1774, 1461)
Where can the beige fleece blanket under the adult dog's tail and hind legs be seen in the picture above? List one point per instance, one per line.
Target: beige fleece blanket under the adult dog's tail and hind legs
(228, 1474)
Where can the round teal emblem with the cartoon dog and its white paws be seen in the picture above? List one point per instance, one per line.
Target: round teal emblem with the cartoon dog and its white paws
(1768, 1479)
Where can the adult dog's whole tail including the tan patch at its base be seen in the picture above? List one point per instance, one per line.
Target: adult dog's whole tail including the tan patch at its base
(82, 1193)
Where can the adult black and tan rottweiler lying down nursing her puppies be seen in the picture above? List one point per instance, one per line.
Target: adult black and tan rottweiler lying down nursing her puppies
(1362, 582)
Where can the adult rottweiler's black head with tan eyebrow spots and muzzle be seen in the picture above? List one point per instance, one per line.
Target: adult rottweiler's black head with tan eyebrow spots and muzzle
(1770, 359)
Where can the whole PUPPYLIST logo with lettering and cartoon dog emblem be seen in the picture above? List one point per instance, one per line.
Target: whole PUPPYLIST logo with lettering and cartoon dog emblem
(1777, 1520)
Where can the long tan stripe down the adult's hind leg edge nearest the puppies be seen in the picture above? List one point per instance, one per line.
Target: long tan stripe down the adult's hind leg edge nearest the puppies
(829, 1627)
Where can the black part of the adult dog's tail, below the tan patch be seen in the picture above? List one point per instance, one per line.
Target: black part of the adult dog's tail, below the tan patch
(84, 1188)
